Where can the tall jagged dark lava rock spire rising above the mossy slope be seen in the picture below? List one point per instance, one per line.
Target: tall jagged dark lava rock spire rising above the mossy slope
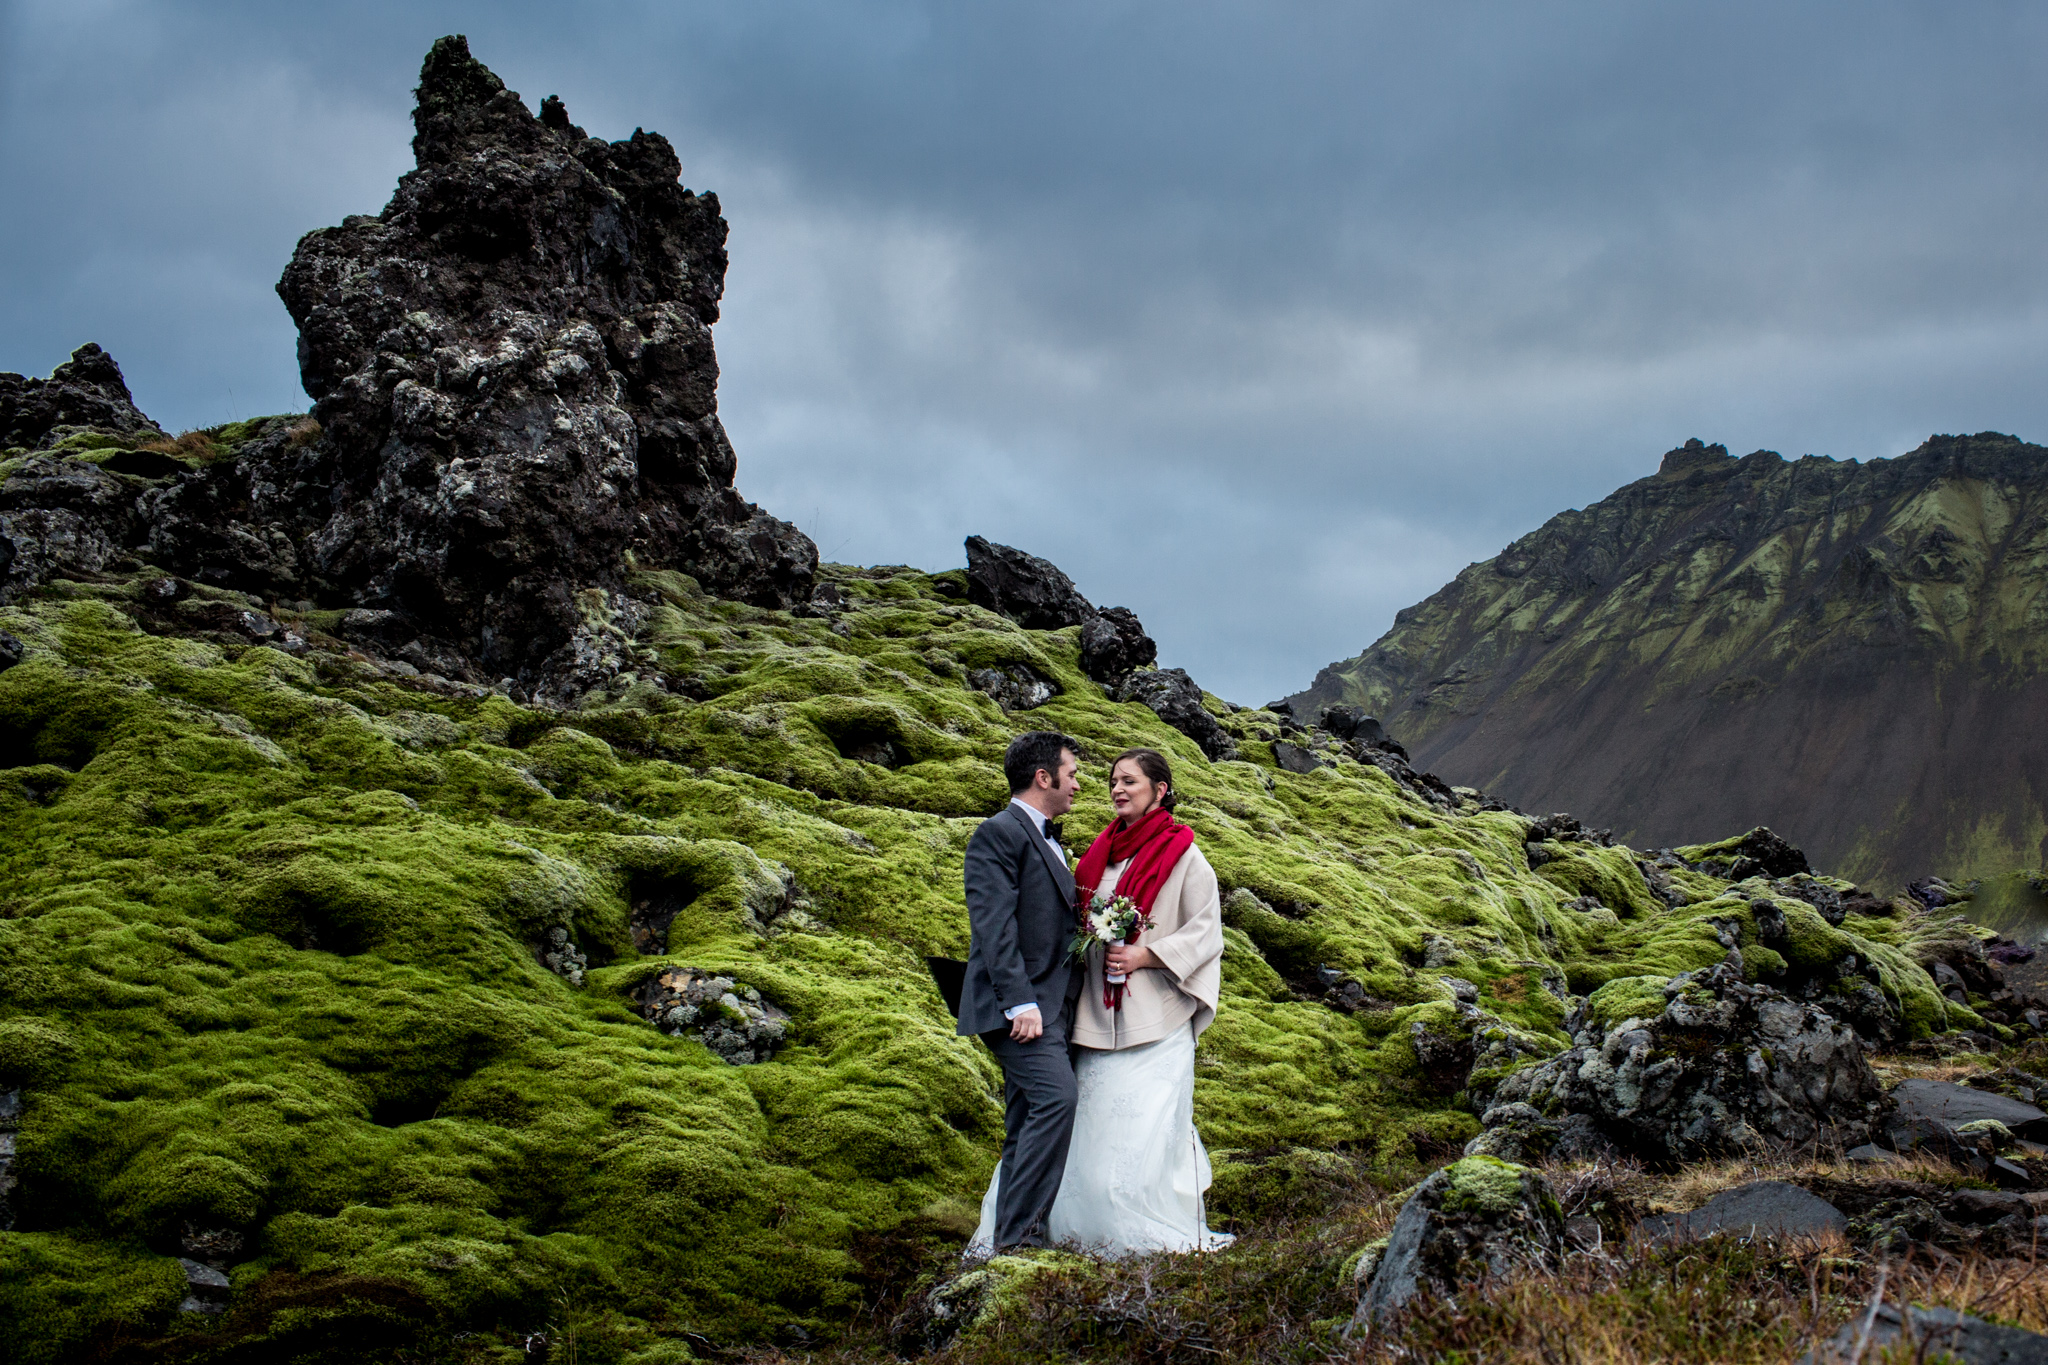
(515, 378)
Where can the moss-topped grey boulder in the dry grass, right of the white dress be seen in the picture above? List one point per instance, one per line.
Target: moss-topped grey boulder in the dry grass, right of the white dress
(1478, 1219)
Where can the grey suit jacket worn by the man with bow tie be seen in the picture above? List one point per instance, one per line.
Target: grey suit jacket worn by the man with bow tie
(1021, 914)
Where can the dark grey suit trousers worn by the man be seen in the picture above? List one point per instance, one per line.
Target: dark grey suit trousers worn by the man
(1037, 1129)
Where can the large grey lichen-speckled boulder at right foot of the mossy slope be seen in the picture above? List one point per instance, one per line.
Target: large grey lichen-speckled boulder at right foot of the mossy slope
(1723, 1067)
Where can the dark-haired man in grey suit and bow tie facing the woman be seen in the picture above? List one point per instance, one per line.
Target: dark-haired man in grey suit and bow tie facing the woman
(1017, 994)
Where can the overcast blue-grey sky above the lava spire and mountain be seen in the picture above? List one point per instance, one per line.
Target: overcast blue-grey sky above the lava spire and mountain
(1256, 318)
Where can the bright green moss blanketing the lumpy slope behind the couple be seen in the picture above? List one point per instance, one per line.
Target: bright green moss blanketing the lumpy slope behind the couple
(273, 924)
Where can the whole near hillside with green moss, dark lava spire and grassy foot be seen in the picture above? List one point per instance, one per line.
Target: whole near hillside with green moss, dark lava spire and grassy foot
(466, 881)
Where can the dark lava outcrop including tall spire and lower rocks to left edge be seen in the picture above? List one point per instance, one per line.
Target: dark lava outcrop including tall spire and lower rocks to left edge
(515, 408)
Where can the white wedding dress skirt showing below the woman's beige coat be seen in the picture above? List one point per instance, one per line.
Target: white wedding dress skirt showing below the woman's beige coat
(1136, 1172)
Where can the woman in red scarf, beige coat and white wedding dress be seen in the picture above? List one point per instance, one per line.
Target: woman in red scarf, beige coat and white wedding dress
(1138, 1170)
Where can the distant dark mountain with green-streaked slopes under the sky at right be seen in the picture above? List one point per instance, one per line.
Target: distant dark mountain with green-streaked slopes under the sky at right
(1850, 654)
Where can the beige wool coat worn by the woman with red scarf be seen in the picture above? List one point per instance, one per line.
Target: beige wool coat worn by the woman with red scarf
(1187, 936)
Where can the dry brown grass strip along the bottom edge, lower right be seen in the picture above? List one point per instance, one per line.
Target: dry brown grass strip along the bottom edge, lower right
(1721, 1303)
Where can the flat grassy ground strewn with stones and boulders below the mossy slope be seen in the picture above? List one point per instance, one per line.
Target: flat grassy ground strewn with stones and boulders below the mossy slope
(1770, 1258)
